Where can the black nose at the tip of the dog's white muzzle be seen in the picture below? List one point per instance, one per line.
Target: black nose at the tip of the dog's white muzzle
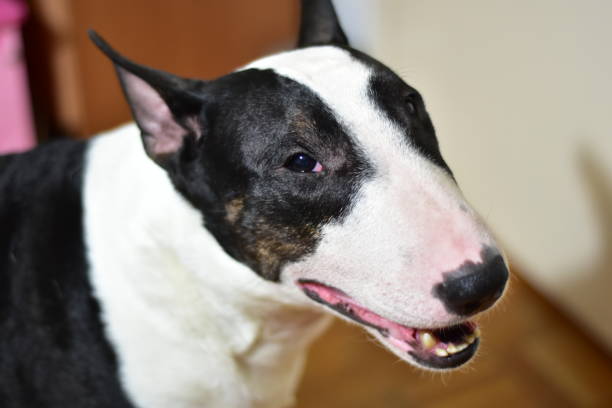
(473, 287)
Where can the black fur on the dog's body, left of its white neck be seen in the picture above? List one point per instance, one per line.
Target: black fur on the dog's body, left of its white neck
(53, 350)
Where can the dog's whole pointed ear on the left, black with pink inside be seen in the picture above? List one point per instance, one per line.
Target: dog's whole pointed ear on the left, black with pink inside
(163, 106)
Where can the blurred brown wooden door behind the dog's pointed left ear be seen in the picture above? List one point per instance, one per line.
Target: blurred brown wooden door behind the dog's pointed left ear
(74, 87)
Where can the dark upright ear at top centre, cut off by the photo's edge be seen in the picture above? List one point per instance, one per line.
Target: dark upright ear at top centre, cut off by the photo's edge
(319, 24)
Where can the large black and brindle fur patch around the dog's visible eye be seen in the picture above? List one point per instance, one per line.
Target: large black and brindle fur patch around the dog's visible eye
(262, 213)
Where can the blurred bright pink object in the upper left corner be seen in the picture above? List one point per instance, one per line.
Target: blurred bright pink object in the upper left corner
(16, 130)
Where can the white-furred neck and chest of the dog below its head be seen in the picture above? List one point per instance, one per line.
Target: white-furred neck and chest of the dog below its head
(176, 306)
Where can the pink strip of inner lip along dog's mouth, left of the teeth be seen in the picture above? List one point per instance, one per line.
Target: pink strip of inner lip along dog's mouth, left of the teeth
(398, 334)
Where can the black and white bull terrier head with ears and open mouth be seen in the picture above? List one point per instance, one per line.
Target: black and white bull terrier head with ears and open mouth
(319, 168)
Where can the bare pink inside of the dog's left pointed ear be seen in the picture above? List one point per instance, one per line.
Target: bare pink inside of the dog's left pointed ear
(163, 134)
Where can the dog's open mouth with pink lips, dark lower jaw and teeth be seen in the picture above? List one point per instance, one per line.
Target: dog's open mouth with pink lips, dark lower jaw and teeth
(440, 348)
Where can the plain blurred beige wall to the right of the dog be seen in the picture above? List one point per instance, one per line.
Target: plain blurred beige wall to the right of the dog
(521, 95)
